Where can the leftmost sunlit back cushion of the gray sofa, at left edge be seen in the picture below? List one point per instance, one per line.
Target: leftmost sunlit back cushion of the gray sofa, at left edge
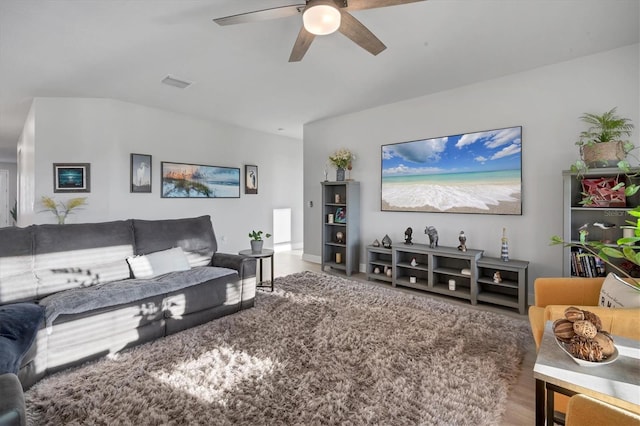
(17, 282)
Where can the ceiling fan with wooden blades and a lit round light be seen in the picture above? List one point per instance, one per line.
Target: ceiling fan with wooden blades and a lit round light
(321, 17)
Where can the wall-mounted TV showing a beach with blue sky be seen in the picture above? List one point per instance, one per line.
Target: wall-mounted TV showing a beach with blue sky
(478, 172)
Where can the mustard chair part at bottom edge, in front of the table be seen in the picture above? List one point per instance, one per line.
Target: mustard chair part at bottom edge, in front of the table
(586, 411)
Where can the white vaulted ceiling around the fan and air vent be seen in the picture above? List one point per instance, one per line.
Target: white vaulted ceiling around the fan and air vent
(121, 49)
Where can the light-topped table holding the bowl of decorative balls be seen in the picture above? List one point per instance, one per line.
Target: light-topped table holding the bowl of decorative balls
(617, 383)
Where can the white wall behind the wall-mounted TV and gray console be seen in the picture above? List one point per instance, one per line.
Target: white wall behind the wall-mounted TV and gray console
(545, 101)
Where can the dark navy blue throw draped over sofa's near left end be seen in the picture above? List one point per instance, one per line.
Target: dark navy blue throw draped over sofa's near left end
(19, 323)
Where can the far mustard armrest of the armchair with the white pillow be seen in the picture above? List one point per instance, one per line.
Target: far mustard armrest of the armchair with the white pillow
(567, 291)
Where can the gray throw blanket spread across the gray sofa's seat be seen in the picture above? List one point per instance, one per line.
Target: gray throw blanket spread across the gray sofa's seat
(84, 299)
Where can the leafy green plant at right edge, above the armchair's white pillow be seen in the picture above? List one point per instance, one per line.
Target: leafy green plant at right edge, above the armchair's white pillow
(625, 248)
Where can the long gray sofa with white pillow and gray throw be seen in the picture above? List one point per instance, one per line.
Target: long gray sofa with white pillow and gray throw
(97, 288)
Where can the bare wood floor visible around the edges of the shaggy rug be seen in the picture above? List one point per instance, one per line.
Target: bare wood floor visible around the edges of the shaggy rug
(520, 408)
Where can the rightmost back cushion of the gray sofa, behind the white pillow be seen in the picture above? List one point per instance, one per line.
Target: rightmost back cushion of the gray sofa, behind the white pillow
(194, 235)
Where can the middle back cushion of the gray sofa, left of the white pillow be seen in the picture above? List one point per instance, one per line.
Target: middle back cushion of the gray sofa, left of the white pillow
(78, 247)
